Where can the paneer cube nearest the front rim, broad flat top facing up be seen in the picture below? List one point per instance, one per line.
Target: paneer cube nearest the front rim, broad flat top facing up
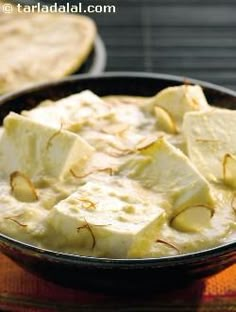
(107, 220)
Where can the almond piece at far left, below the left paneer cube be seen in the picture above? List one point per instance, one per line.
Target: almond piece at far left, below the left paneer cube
(22, 188)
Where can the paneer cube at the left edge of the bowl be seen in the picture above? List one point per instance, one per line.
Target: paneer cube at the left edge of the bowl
(36, 149)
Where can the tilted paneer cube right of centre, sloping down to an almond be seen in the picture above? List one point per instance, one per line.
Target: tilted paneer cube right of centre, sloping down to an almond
(165, 169)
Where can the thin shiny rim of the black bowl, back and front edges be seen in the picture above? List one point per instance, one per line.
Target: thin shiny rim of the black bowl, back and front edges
(194, 257)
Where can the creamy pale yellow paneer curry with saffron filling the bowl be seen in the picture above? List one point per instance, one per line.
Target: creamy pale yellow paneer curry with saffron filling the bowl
(120, 176)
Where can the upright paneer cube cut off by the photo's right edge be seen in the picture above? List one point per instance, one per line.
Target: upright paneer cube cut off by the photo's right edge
(211, 143)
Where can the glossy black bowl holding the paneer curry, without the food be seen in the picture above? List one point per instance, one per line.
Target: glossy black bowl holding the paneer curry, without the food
(115, 275)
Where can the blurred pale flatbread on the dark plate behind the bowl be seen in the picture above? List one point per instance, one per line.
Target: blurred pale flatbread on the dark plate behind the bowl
(37, 47)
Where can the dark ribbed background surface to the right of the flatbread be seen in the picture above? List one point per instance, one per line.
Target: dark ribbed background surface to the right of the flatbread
(193, 38)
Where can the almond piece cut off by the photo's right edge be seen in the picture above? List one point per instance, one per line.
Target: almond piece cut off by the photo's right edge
(229, 170)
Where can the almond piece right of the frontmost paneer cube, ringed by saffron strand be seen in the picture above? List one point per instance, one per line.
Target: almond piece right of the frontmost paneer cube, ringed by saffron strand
(192, 219)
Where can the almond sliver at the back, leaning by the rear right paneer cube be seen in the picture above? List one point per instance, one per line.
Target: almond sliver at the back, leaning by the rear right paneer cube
(164, 120)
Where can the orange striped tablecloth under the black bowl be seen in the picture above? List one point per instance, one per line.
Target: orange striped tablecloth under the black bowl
(21, 291)
